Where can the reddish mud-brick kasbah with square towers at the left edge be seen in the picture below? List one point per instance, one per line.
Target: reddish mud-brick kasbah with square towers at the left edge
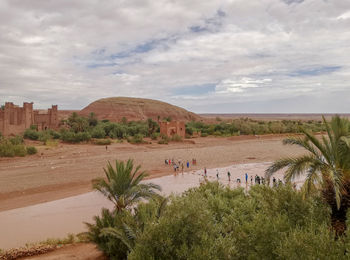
(14, 119)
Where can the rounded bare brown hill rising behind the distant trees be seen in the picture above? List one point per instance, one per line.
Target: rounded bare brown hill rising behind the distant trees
(116, 108)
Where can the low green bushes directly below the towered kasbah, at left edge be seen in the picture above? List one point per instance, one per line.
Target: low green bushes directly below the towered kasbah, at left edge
(14, 146)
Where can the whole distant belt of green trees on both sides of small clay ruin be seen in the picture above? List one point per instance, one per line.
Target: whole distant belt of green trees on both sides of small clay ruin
(82, 129)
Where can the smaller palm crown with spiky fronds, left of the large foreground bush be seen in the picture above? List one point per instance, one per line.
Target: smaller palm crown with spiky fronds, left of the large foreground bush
(123, 185)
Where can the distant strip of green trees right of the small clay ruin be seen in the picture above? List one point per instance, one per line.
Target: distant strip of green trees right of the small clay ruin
(246, 126)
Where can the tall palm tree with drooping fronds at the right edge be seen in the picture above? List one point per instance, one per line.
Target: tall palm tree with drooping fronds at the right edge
(326, 166)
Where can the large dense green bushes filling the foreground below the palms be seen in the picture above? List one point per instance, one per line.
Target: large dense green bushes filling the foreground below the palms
(214, 222)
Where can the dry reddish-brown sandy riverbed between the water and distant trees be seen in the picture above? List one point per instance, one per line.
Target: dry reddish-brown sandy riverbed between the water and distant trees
(67, 170)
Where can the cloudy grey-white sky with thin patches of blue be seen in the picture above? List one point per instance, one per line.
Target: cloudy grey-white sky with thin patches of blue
(227, 56)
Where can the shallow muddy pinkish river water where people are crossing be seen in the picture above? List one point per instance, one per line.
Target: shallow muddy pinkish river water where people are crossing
(58, 218)
